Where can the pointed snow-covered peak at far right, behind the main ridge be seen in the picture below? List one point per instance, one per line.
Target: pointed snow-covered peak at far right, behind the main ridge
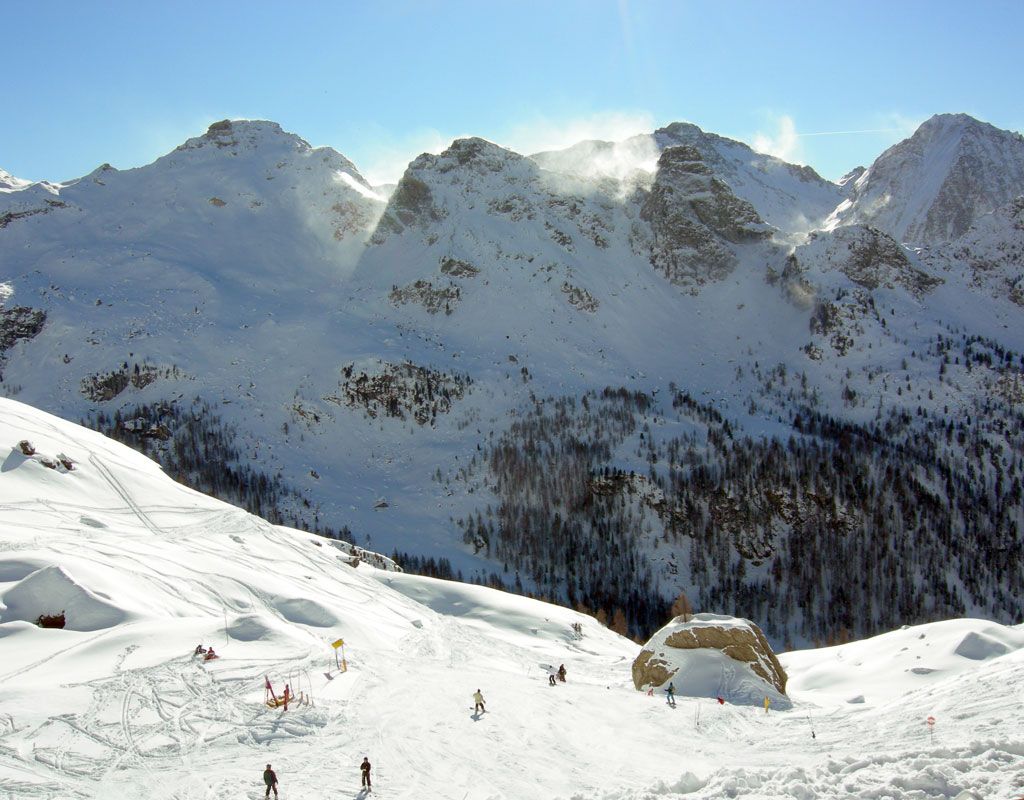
(934, 186)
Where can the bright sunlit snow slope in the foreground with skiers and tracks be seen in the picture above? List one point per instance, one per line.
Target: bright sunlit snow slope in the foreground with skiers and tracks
(116, 706)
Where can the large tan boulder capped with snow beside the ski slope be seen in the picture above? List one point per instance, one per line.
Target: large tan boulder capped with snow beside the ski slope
(713, 656)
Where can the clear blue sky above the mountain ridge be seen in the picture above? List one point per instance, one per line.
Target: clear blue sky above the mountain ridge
(125, 82)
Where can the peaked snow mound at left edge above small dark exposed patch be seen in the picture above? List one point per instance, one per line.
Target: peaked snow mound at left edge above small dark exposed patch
(52, 592)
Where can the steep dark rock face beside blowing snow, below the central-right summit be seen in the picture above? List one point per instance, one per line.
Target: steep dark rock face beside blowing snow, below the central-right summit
(696, 219)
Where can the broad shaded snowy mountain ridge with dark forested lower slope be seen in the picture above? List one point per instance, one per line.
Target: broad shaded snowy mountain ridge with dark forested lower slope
(601, 385)
